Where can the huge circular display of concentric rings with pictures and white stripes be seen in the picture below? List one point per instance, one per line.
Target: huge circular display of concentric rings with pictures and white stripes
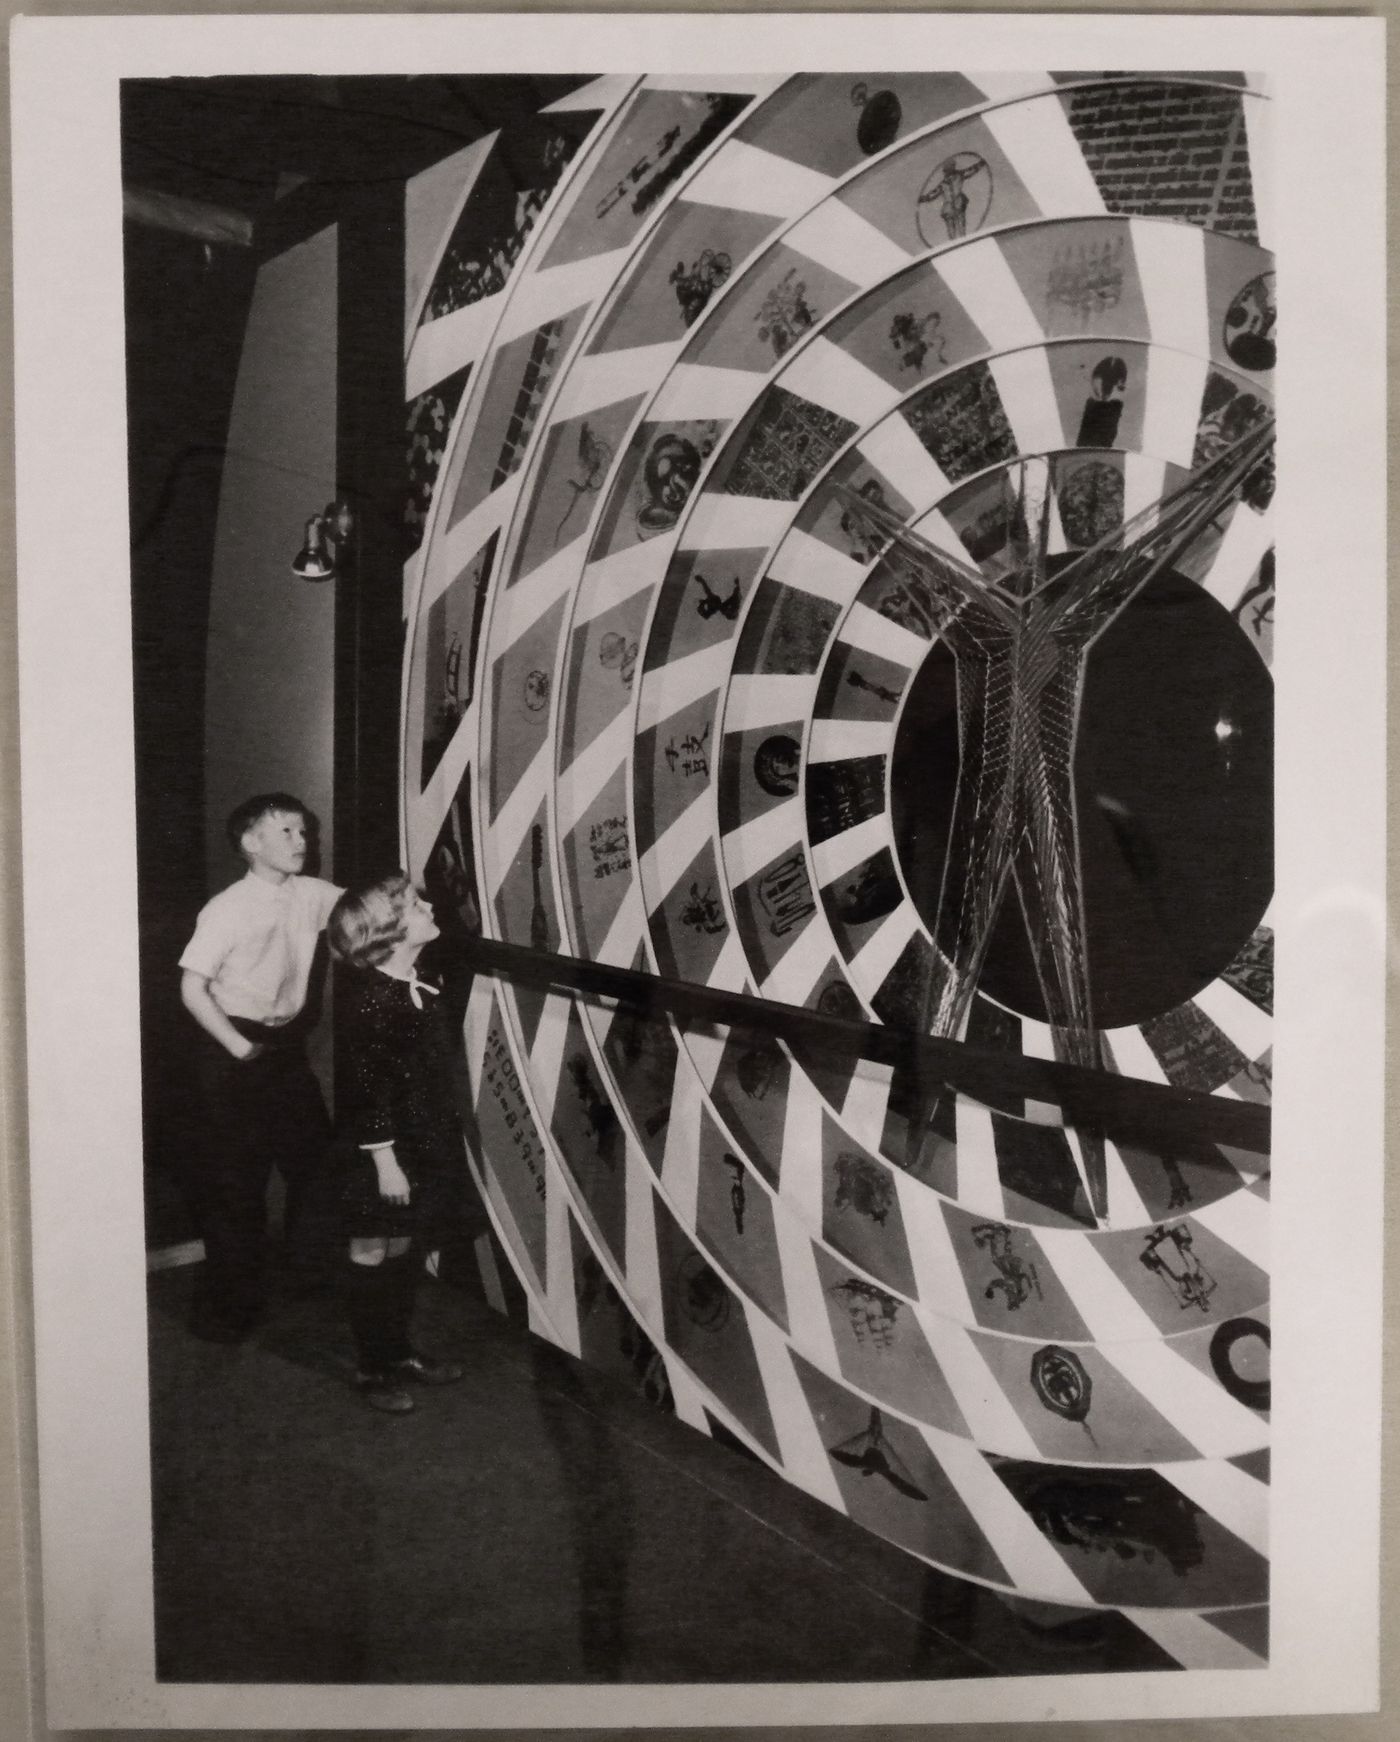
(845, 576)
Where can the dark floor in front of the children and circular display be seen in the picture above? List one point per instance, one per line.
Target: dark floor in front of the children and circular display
(534, 1525)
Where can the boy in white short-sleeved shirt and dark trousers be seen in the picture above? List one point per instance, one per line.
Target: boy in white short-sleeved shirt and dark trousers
(245, 978)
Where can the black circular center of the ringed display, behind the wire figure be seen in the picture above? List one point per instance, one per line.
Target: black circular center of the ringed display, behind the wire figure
(1175, 799)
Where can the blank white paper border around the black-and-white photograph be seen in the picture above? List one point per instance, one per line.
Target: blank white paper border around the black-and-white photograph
(79, 853)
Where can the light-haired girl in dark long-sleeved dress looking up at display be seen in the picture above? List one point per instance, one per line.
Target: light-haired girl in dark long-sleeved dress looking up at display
(396, 1081)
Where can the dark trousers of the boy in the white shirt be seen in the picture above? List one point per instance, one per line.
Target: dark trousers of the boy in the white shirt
(260, 1114)
